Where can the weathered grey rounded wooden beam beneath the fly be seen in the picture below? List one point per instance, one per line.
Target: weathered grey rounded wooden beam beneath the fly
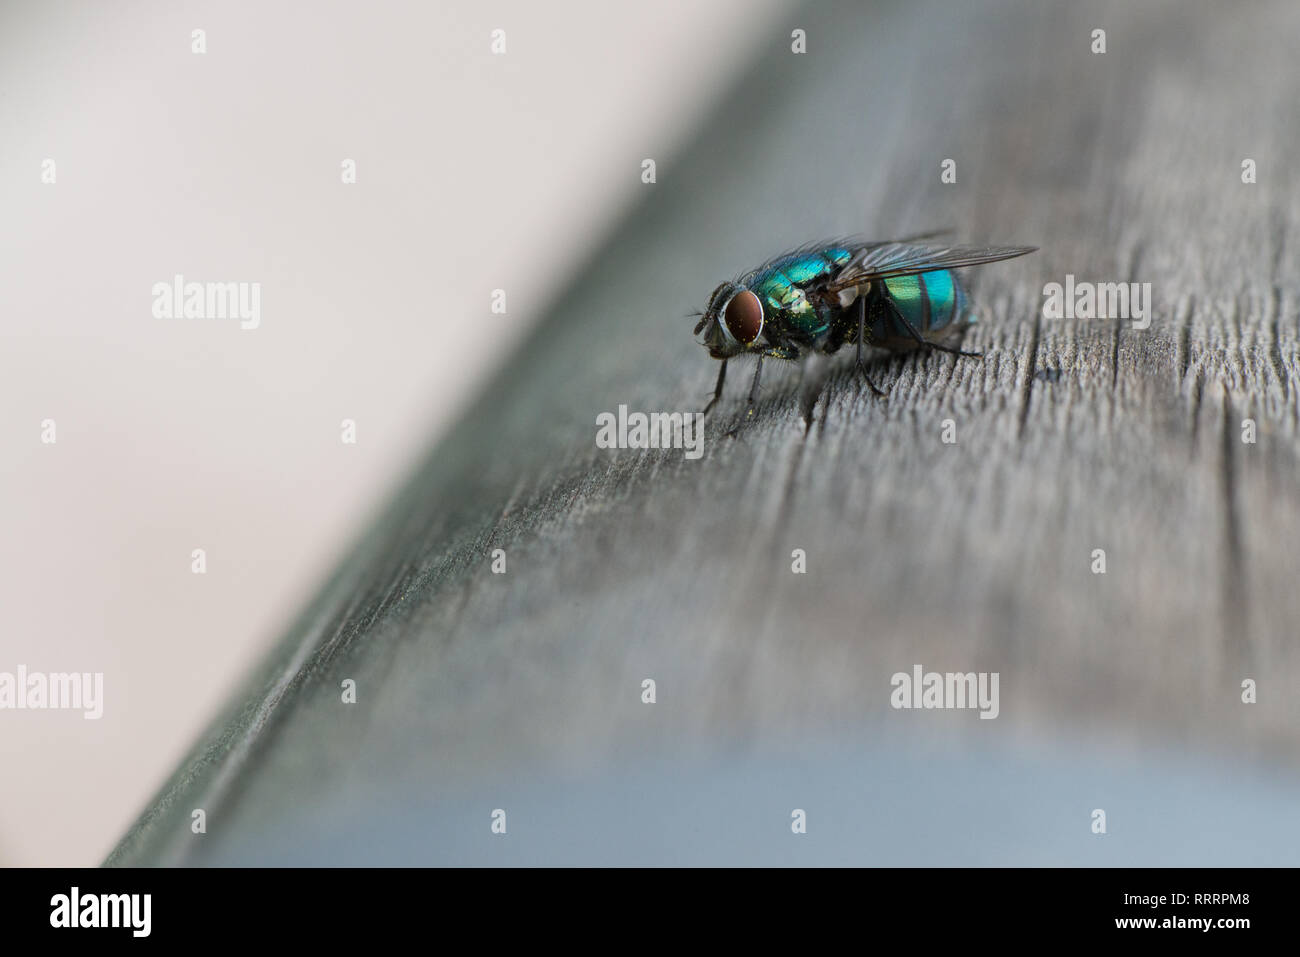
(523, 691)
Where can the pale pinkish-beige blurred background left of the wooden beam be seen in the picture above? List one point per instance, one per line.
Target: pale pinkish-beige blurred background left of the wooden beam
(474, 172)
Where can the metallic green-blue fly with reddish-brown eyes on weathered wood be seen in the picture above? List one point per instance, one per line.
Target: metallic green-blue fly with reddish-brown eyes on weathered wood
(899, 296)
